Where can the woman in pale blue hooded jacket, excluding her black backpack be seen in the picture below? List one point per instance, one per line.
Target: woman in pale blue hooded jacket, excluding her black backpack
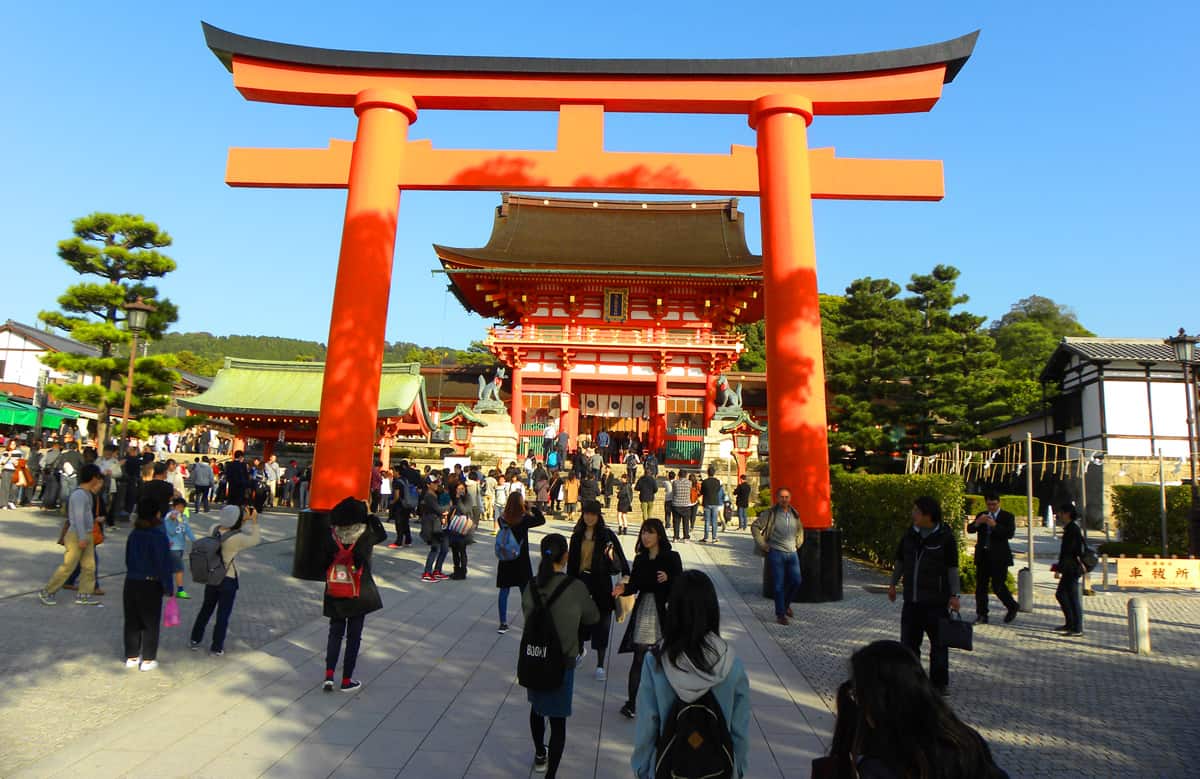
(693, 661)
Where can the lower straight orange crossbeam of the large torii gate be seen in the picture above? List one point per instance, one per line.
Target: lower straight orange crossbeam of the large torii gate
(737, 173)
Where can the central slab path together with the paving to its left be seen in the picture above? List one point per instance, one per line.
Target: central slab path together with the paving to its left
(440, 700)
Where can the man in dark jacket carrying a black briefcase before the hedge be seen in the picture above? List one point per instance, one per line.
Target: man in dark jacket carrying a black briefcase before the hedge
(928, 562)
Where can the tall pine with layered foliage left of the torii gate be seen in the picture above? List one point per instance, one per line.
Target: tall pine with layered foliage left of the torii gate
(122, 250)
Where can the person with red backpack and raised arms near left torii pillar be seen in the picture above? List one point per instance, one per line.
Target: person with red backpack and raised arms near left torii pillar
(351, 592)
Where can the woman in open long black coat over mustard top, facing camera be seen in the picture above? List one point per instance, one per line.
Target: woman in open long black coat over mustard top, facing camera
(596, 556)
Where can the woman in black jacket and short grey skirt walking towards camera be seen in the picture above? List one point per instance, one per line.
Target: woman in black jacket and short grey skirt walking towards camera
(656, 568)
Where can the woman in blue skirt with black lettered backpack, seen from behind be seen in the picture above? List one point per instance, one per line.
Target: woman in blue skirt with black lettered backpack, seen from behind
(569, 607)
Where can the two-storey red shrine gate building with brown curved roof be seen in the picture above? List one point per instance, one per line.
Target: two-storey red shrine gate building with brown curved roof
(614, 315)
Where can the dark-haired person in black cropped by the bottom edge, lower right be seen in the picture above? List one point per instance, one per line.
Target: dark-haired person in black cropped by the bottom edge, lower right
(903, 727)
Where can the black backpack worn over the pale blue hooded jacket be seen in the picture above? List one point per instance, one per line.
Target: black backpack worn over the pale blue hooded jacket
(695, 742)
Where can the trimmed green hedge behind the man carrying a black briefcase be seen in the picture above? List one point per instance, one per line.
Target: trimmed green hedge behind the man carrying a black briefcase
(873, 512)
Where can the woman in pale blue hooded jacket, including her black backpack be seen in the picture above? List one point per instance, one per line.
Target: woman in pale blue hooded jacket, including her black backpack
(694, 685)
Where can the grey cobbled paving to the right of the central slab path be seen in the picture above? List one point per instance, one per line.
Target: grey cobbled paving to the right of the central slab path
(1049, 706)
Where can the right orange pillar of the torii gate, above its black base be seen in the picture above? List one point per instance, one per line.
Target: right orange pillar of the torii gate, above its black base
(796, 403)
